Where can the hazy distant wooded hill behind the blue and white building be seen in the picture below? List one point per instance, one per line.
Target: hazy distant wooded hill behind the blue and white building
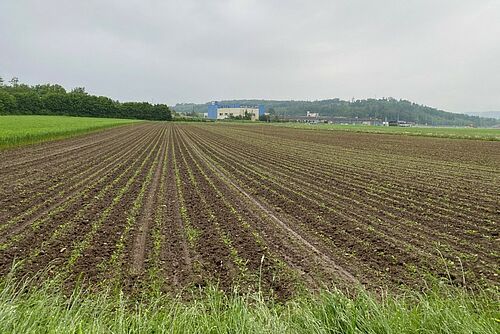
(386, 108)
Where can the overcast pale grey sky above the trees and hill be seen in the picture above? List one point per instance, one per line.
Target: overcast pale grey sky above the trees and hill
(441, 53)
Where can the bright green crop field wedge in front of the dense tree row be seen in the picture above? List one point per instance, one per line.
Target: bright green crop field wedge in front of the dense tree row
(24, 130)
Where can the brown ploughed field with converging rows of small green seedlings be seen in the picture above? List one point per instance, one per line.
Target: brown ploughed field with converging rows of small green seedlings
(278, 210)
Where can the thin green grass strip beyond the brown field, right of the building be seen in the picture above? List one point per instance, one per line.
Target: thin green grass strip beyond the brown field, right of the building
(442, 132)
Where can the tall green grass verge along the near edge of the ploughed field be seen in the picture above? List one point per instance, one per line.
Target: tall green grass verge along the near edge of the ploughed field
(28, 308)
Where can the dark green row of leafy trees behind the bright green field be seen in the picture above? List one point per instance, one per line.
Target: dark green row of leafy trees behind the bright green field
(52, 99)
